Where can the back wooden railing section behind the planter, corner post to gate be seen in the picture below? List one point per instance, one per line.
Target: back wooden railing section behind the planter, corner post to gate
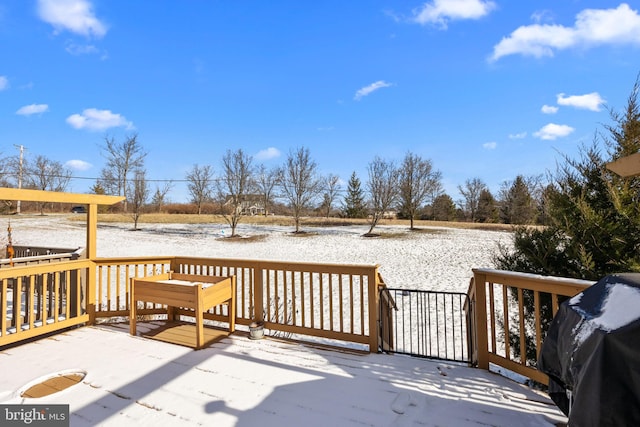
(333, 301)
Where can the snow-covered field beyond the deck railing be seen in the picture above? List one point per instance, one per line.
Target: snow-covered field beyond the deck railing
(432, 259)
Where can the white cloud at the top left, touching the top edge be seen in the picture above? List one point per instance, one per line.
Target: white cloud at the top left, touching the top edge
(76, 16)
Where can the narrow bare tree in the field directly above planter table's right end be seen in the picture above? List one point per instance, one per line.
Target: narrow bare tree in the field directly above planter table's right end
(234, 184)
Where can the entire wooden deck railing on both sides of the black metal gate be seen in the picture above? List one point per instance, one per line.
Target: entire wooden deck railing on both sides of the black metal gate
(508, 312)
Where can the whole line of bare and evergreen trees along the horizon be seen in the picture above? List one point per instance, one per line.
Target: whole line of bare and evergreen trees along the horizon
(411, 189)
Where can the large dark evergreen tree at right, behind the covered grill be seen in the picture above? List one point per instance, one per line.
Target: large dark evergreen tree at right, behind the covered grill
(594, 214)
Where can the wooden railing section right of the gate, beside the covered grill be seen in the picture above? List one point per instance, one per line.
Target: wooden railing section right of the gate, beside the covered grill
(509, 313)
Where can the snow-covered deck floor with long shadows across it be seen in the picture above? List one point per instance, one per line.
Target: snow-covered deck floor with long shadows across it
(137, 381)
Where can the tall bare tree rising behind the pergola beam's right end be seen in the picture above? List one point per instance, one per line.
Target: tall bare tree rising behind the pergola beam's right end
(122, 160)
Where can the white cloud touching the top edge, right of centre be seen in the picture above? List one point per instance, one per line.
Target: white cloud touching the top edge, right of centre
(440, 12)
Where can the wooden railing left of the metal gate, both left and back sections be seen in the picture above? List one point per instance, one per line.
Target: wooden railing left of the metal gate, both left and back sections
(332, 301)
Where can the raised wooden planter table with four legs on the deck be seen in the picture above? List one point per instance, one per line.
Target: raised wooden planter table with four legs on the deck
(196, 292)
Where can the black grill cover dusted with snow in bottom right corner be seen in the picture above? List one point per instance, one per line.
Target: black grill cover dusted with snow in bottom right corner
(593, 349)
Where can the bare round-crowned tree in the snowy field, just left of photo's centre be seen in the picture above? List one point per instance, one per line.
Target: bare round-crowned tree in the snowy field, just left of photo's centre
(299, 182)
